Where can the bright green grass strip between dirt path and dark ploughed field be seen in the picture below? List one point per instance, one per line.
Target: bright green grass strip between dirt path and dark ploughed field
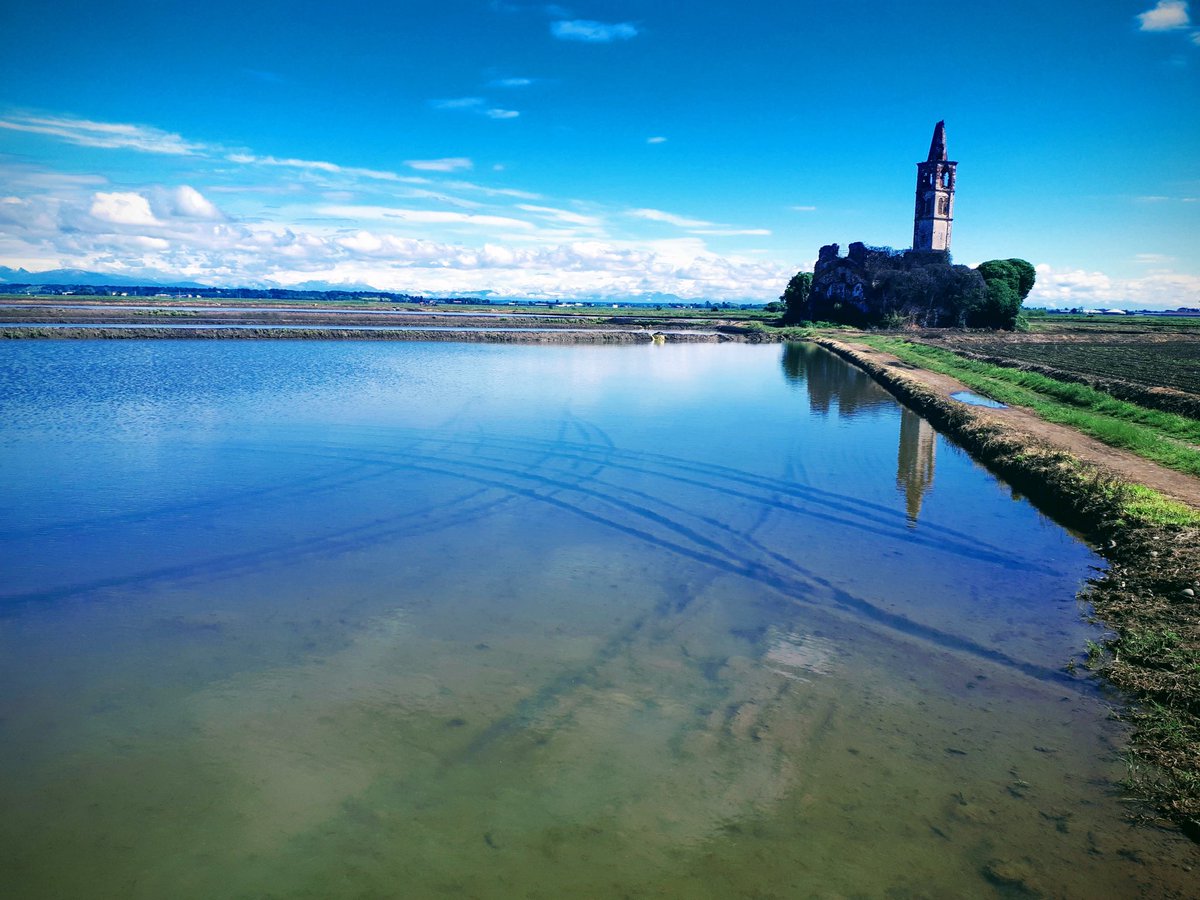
(1150, 434)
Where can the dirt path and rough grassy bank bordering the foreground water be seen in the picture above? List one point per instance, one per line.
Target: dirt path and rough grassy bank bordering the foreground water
(1150, 595)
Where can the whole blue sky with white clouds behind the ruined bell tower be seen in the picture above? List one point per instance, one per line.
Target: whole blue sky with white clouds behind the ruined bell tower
(599, 148)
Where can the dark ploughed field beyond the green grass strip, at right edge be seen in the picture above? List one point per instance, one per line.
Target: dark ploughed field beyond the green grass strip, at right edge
(1159, 364)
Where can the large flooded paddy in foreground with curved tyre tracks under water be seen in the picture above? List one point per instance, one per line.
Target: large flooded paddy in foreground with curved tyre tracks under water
(358, 620)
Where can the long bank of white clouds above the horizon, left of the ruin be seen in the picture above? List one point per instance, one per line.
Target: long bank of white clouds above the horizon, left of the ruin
(380, 254)
